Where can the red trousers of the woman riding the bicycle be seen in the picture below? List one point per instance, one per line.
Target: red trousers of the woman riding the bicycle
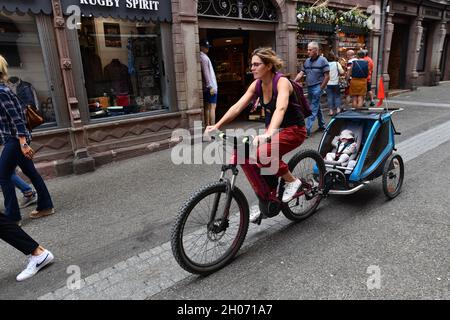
(269, 155)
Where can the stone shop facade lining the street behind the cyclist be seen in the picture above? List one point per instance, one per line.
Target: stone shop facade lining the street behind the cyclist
(115, 82)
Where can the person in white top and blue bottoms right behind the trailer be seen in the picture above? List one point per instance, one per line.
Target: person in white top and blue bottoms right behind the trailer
(333, 88)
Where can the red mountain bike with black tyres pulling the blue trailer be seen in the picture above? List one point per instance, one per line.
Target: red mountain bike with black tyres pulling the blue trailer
(212, 224)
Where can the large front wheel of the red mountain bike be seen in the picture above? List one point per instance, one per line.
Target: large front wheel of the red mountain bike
(204, 239)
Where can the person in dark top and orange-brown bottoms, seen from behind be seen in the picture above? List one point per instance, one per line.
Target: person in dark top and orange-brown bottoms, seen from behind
(358, 86)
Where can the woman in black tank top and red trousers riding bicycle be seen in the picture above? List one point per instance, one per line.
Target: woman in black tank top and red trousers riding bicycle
(285, 124)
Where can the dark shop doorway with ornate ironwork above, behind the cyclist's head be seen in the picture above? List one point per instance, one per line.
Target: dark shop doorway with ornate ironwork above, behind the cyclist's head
(235, 28)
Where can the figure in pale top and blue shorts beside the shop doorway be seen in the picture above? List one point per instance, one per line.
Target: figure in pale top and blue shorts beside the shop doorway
(209, 82)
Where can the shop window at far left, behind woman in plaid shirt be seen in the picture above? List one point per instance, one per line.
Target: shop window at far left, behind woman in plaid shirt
(20, 45)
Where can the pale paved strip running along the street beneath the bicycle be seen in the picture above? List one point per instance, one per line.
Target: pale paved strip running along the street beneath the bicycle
(155, 270)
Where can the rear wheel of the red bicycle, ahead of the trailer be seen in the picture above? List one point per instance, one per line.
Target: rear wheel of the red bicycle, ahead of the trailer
(309, 167)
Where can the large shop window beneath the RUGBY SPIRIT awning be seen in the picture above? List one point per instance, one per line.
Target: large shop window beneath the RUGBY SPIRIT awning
(122, 66)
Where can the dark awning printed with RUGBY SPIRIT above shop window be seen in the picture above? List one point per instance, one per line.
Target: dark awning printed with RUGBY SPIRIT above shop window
(140, 10)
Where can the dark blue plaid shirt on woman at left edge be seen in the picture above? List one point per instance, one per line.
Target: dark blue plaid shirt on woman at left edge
(12, 117)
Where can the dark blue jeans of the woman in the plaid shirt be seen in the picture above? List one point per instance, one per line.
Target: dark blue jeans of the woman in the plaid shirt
(10, 158)
